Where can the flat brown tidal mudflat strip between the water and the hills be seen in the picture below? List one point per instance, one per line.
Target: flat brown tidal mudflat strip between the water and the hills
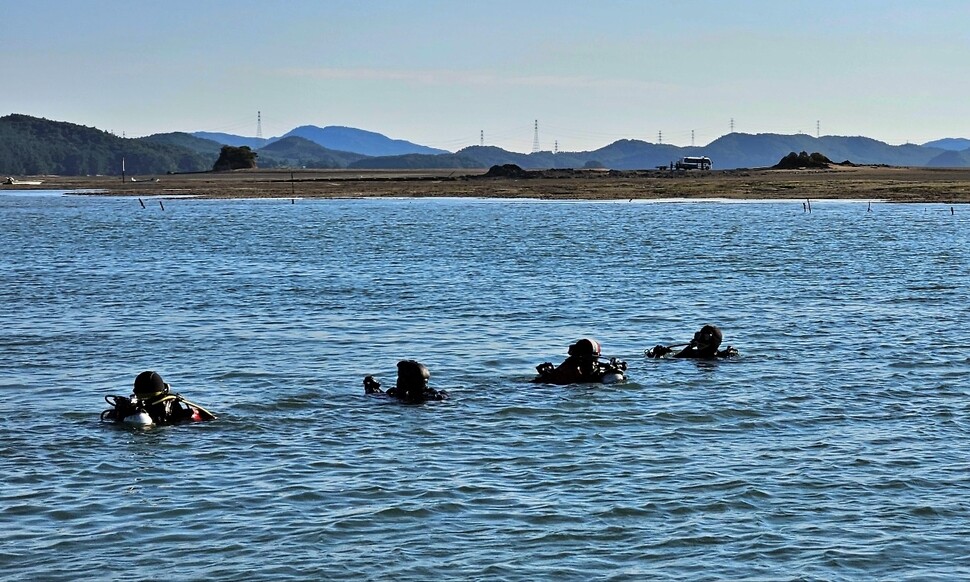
(891, 184)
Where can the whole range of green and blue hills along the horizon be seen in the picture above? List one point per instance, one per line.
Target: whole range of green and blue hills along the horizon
(34, 146)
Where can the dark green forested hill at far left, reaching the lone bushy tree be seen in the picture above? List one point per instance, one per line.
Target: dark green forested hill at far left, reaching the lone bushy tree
(31, 146)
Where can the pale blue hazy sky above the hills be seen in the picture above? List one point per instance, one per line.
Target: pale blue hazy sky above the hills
(440, 72)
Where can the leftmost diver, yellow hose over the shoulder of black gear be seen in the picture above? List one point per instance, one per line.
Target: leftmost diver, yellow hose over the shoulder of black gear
(152, 396)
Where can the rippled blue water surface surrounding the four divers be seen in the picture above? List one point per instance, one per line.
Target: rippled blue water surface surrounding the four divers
(836, 447)
